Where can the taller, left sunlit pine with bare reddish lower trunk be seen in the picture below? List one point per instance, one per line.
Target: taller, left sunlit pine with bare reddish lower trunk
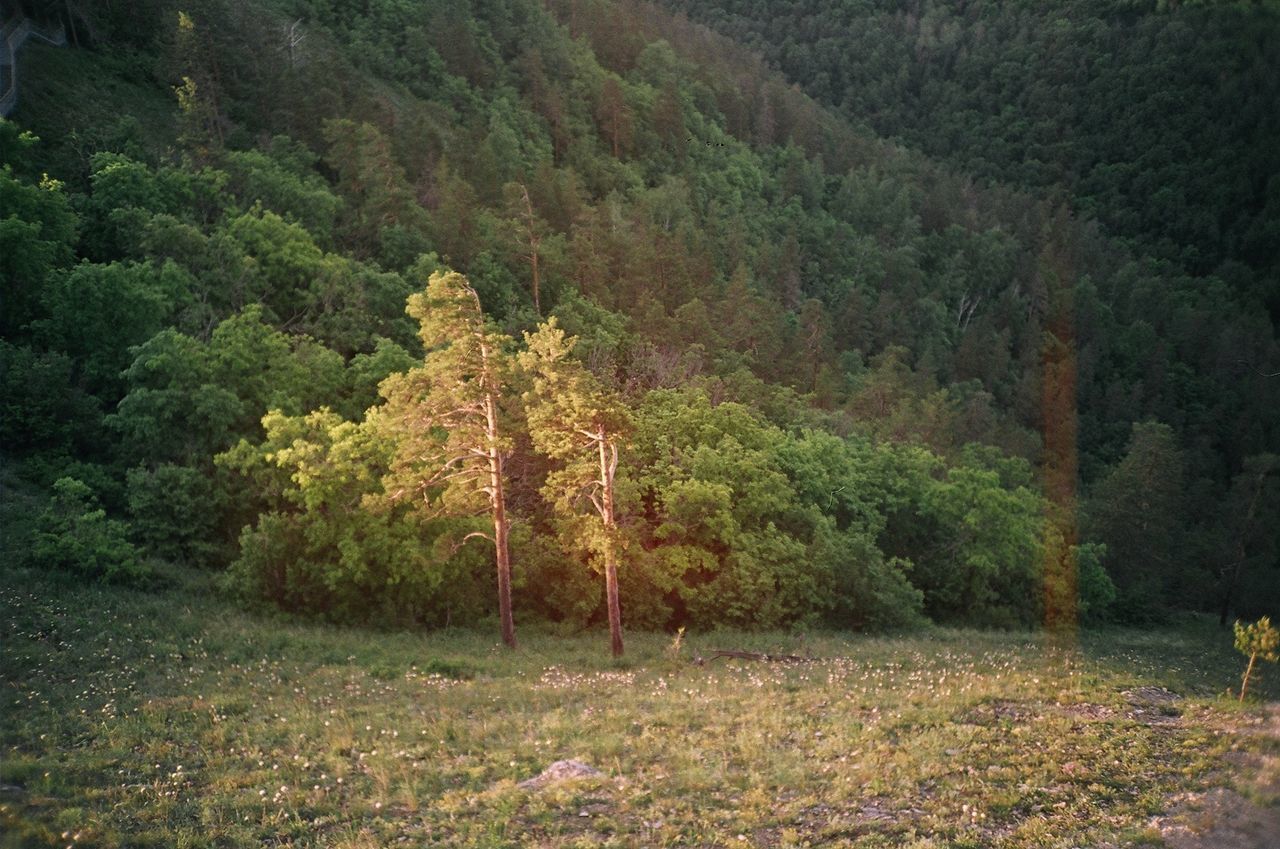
(447, 421)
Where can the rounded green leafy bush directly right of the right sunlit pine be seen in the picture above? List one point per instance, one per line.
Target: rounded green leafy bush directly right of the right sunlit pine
(730, 541)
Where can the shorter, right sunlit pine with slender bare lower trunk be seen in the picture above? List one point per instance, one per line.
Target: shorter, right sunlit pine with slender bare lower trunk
(573, 419)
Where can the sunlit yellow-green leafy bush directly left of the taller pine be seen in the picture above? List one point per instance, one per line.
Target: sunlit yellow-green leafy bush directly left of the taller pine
(317, 549)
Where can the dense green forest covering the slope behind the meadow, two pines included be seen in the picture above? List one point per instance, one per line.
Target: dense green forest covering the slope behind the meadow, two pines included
(670, 319)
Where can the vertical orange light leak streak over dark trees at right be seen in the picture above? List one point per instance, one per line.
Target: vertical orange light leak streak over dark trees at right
(1060, 427)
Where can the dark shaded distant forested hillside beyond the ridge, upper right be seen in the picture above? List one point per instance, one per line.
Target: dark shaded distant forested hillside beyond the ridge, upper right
(1159, 120)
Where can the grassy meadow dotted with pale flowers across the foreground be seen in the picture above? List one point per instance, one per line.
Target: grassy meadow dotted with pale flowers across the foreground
(175, 720)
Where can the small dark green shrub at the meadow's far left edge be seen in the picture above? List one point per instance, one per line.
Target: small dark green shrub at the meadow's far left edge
(74, 535)
